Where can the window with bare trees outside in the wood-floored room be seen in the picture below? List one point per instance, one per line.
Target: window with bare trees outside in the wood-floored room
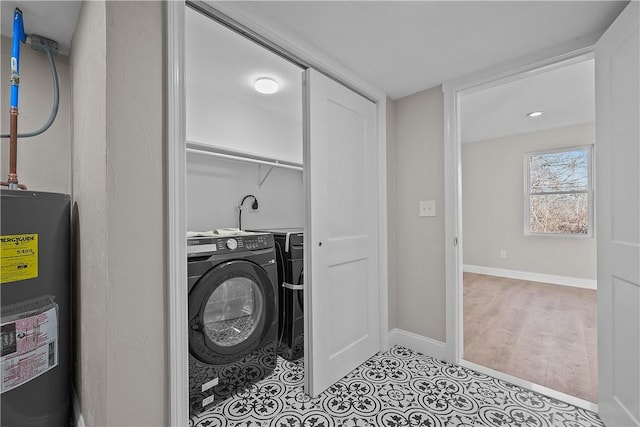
(559, 199)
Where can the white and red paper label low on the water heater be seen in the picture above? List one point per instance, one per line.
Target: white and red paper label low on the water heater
(29, 348)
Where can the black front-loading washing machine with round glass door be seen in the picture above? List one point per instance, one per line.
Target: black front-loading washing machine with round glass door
(232, 314)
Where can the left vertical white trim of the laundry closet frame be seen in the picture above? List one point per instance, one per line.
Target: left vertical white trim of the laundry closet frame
(176, 217)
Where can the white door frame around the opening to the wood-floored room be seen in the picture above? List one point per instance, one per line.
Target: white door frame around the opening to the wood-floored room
(565, 54)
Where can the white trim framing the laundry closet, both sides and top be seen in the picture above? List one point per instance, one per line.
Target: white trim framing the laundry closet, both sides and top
(278, 38)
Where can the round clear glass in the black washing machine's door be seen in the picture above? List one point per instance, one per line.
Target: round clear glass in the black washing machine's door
(233, 311)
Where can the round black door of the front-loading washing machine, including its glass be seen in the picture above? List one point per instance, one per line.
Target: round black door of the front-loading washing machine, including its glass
(230, 309)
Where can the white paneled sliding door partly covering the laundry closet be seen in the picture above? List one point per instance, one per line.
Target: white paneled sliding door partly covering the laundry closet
(341, 242)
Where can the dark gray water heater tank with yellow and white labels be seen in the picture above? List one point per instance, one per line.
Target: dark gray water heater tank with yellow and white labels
(35, 287)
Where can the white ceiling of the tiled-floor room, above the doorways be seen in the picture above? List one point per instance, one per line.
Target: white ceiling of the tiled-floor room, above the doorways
(403, 47)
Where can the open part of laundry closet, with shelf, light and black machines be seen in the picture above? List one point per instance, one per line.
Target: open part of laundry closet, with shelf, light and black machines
(245, 211)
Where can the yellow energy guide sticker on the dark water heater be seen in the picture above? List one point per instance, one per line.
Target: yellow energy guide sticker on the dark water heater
(18, 257)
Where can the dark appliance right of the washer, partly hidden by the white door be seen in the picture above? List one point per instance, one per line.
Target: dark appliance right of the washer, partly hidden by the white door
(290, 259)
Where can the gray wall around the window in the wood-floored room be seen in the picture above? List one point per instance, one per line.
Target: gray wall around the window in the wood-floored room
(493, 207)
